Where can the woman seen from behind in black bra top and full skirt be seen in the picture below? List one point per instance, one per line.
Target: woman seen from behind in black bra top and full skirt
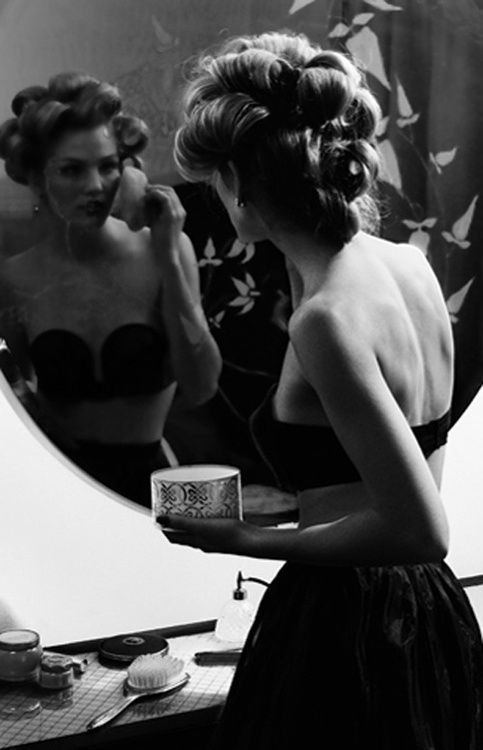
(365, 638)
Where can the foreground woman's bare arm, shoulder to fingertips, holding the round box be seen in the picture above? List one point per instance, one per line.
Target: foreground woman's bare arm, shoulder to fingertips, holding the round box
(401, 518)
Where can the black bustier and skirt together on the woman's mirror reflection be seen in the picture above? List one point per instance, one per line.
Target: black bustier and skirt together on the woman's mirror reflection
(134, 363)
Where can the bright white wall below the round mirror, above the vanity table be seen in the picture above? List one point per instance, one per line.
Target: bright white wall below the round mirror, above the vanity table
(80, 562)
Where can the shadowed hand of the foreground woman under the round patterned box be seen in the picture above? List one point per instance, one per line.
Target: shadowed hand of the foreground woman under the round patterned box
(226, 535)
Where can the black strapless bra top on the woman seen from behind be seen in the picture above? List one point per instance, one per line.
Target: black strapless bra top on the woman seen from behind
(306, 456)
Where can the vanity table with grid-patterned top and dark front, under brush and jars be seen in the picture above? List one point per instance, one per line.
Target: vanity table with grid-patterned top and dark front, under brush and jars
(56, 720)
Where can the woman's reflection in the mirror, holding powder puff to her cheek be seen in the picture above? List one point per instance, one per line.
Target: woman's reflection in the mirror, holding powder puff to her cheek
(105, 321)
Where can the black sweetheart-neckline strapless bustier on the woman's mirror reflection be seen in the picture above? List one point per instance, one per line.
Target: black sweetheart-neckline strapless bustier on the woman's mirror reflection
(133, 362)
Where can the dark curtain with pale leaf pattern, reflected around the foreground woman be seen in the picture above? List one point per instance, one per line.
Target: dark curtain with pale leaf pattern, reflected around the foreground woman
(423, 60)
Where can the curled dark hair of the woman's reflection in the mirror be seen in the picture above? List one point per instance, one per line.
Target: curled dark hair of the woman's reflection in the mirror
(70, 101)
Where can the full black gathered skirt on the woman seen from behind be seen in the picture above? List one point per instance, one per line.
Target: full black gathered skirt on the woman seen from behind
(366, 658)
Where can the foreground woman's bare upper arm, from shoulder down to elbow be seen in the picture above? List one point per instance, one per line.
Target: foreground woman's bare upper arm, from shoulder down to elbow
(404, 508)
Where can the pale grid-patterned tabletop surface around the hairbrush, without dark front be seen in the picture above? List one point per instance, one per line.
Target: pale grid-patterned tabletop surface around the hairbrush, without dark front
(31, 714)
